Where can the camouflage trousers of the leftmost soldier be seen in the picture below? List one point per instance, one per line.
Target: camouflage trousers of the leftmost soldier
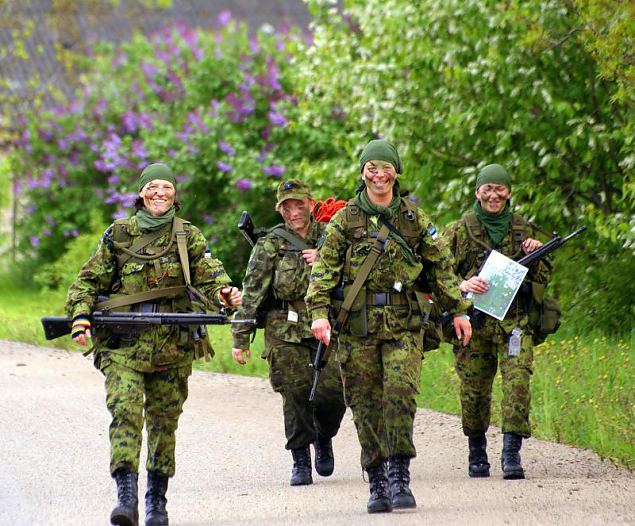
(159, 397)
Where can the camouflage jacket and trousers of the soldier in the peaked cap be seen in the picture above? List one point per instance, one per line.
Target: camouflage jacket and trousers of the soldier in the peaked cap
(277, 278)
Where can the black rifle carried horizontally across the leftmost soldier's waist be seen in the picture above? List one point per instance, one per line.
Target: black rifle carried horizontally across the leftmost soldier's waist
(132, 322)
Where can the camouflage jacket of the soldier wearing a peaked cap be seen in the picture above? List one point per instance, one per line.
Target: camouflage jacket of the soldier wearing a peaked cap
(276, 280)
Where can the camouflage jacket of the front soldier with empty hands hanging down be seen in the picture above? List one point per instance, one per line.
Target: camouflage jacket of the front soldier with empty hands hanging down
(433, 260)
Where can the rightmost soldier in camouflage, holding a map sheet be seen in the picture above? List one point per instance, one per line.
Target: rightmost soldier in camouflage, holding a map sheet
(492, 225)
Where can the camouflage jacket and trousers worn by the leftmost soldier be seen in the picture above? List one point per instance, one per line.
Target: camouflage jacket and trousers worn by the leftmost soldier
(156, 363)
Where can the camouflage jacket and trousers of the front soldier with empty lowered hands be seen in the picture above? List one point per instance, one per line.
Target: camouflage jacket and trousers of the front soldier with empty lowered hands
(381, 369)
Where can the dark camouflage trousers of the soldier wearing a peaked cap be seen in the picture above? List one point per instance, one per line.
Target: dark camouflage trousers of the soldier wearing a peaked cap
(291, 376)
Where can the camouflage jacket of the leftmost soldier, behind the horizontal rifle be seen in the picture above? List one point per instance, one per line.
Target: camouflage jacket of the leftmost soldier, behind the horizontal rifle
(159, 347)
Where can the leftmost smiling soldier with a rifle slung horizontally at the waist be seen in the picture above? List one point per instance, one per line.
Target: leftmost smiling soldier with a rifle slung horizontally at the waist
(146, 373)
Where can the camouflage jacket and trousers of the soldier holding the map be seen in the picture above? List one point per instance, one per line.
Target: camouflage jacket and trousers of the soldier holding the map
(476, 364)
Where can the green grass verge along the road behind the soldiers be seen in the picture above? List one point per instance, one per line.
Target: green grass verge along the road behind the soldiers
(582, 387)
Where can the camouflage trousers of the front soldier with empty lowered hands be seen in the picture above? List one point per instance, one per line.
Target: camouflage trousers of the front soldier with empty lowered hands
(381, 380)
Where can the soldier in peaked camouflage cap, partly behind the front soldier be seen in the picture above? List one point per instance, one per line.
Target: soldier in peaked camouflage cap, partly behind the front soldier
(275, 283)
